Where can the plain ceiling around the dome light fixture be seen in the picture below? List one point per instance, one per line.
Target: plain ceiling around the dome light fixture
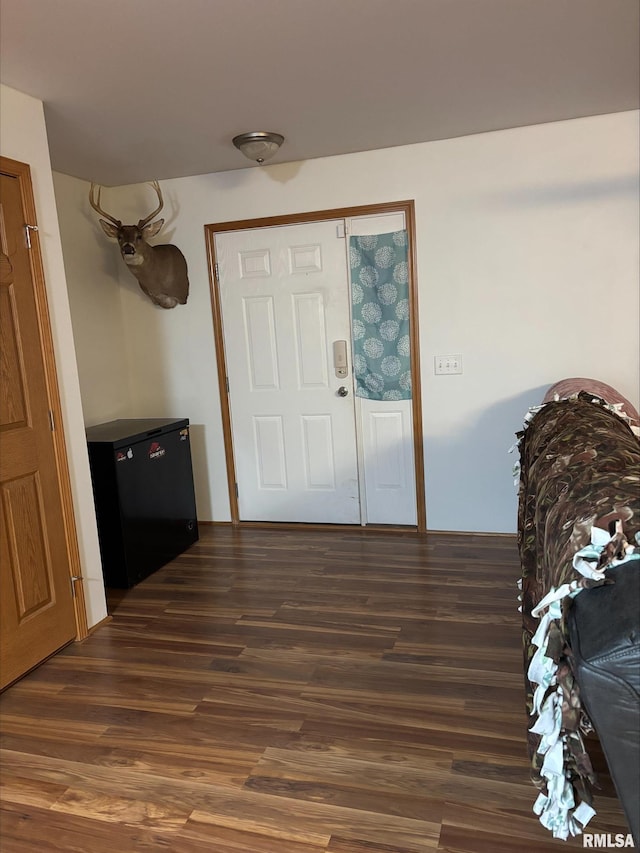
(142, 89)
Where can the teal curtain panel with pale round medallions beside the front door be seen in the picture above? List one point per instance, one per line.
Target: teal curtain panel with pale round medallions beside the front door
(380, 297)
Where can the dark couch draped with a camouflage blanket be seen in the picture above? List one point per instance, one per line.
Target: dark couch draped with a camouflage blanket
(579, 544)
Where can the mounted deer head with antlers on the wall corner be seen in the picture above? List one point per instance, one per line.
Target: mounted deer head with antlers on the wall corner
(161, 270)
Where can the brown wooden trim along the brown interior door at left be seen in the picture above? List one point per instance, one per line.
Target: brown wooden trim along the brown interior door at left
(22, 172)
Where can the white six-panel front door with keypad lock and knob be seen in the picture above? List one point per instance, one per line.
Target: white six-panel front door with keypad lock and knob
(285, 301)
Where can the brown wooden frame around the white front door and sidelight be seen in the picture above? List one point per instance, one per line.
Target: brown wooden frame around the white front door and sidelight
(408, 208)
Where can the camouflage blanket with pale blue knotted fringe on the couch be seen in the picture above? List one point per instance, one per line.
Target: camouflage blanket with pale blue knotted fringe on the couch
(579, 469)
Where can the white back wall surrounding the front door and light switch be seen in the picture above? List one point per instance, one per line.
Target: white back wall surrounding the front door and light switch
(527, 244)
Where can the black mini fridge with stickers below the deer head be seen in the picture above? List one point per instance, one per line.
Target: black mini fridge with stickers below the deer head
(143, 489)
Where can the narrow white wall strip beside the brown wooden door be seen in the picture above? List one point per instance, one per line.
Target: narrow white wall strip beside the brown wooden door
(23, 137)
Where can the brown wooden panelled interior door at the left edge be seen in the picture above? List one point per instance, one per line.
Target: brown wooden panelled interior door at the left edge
(37, 613)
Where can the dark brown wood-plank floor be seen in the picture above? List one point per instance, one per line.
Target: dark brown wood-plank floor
(288, 691)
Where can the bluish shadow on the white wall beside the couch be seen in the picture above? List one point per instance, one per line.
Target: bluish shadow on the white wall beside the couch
(471, 470)
